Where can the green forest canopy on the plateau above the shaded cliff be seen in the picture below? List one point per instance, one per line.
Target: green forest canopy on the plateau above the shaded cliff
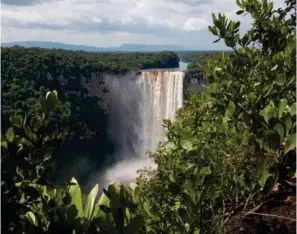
(28, 72)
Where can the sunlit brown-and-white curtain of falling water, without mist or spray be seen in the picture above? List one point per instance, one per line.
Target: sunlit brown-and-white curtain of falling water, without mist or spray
(163, 95)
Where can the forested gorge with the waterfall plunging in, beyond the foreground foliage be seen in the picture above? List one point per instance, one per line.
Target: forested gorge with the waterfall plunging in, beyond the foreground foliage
(112, 104)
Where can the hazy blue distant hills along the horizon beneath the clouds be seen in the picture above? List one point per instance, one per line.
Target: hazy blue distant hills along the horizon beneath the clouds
(123, 47)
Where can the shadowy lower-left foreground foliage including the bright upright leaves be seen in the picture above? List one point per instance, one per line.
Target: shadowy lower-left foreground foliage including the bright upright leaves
(34, 204)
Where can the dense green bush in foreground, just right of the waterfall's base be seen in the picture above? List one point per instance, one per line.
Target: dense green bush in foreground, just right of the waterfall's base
(215, 165)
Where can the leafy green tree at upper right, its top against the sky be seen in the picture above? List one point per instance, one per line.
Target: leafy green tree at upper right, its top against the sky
(264, 102)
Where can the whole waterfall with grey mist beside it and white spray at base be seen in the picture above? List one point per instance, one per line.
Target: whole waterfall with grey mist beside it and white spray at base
(137, 106)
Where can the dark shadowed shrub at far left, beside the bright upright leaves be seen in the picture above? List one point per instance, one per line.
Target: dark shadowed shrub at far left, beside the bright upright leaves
(26, 170)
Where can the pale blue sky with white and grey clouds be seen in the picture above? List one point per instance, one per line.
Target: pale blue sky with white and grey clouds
(105, 23)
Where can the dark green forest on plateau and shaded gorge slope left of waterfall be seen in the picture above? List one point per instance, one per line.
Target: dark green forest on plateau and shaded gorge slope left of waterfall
(28, 73)
